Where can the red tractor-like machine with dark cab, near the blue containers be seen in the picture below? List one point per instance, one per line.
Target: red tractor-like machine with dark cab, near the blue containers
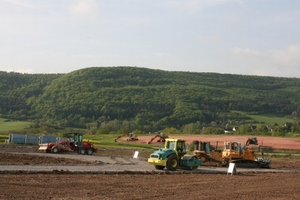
(74, 142)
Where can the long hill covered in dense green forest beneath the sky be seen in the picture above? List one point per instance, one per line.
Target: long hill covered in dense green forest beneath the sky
(144, 97)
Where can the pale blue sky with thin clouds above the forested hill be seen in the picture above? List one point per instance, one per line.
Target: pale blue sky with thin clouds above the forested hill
(247, 37)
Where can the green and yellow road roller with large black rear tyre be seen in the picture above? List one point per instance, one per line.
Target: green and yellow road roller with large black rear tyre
(173, 157)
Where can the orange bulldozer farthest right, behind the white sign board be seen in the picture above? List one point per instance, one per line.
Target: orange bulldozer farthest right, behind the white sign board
(235, 152)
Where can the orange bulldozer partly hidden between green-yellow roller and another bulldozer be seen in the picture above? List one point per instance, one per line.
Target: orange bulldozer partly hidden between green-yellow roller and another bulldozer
(209, 156)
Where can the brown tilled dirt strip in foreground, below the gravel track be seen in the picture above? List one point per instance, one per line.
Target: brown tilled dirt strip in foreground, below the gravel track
(135, 186)
